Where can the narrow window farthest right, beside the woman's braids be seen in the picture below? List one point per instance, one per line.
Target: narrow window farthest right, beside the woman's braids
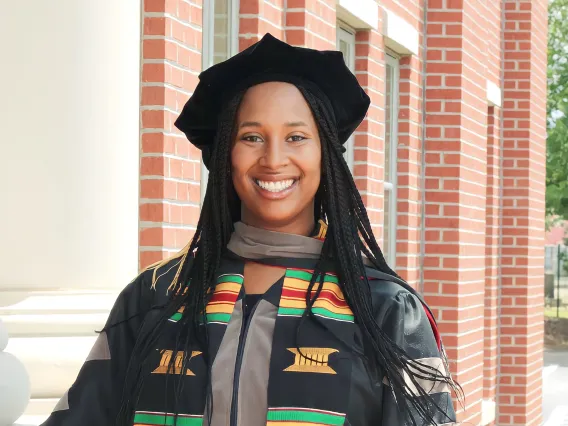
(391, 128)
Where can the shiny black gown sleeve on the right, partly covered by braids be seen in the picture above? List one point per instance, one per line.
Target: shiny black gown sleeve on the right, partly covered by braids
(404, 318)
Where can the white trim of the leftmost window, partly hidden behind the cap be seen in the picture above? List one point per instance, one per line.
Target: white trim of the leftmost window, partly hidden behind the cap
(207, 54)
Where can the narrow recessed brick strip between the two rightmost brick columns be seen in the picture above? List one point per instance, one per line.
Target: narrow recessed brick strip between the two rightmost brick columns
(492, 260)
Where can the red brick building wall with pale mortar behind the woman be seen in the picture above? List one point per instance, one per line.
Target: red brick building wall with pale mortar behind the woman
(469, 190)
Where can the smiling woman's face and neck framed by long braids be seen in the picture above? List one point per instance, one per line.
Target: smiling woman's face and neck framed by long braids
(276, 159)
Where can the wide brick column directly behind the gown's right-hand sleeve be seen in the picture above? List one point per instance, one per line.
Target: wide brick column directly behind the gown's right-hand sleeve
(456, 152)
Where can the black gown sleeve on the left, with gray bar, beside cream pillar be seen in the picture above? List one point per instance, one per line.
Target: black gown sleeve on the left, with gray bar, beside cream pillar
(95, 396)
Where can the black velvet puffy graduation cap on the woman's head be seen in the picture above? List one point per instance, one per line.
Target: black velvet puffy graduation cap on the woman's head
(324, 73)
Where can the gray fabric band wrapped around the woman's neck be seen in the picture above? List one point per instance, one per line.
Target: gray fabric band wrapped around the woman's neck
(256, 243)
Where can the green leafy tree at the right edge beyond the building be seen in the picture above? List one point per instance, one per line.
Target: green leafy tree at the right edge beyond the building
(557, 110)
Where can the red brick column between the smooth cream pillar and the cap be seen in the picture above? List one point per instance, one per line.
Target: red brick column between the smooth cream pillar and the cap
(170, 166)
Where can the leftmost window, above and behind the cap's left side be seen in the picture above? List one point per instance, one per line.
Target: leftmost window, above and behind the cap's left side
(220, 42)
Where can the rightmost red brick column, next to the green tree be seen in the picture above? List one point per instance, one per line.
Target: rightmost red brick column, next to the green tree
(520, 390)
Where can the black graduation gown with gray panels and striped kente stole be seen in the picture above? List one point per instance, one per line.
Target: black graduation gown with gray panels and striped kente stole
(258, 376)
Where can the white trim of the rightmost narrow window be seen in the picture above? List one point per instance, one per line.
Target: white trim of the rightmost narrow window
(391, 186)
